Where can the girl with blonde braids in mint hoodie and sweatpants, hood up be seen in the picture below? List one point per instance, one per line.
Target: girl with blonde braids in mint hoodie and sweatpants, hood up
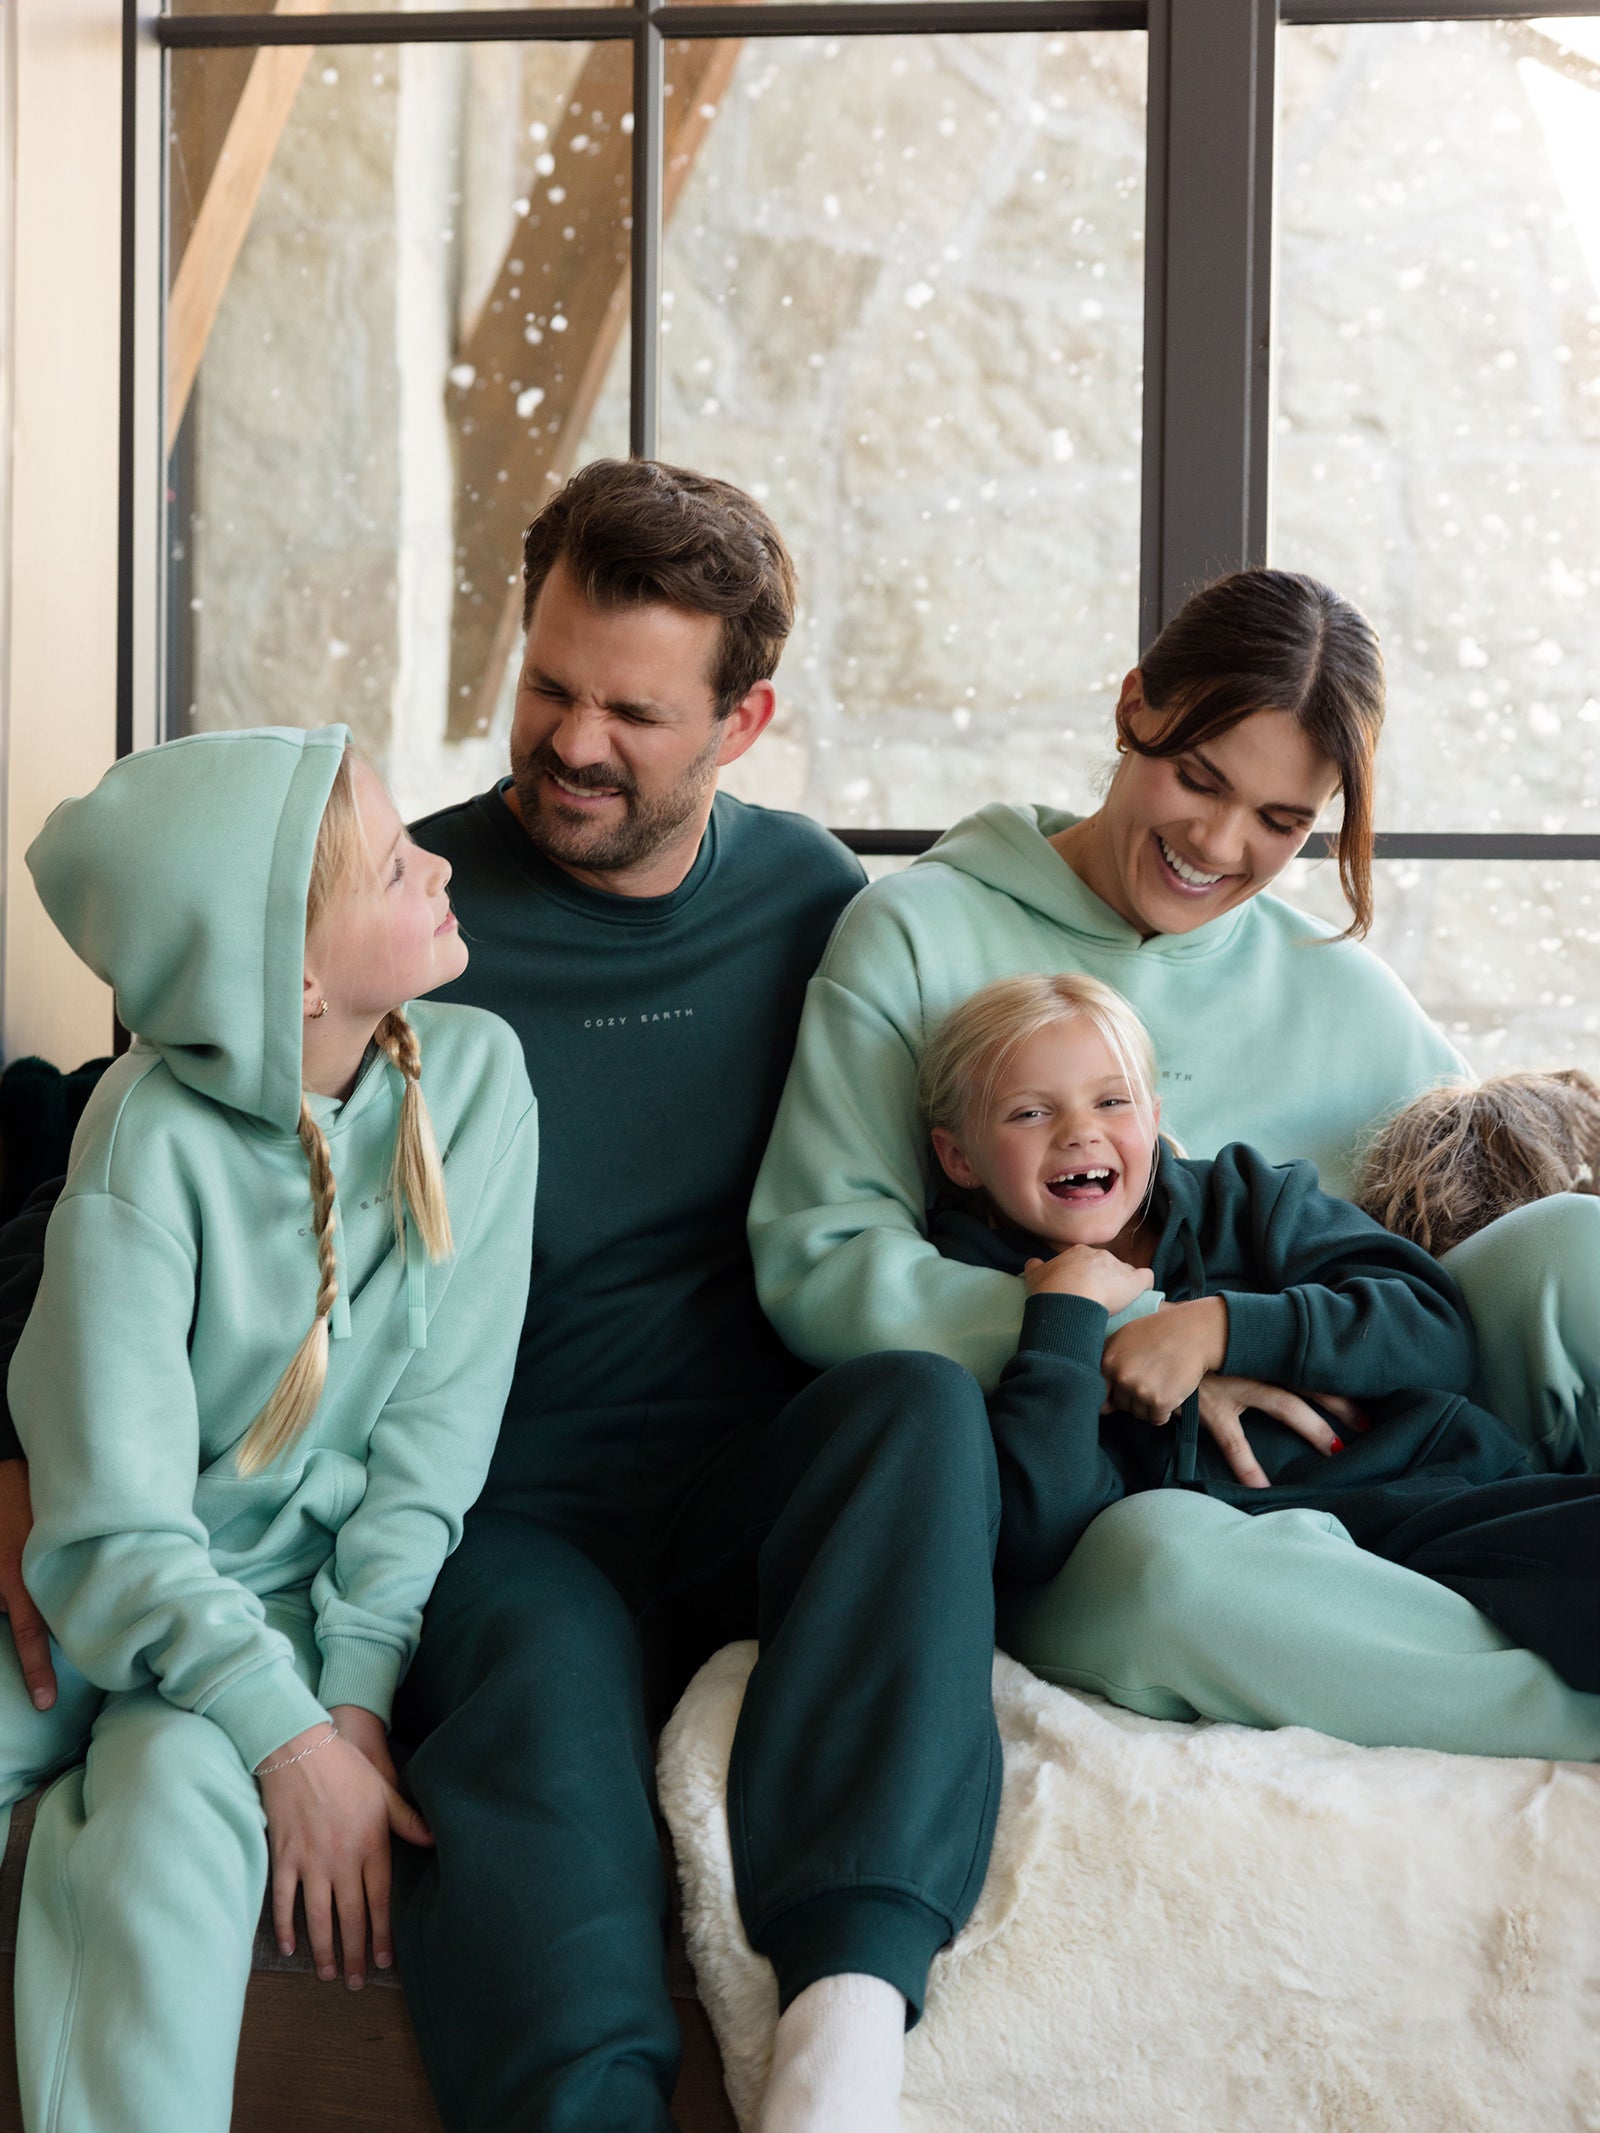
(259, 1394)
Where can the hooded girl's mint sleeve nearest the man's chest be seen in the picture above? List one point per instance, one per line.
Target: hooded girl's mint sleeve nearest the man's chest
(432, 1445)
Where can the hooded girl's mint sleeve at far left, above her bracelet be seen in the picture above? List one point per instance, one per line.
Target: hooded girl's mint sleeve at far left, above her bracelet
(118, 1558)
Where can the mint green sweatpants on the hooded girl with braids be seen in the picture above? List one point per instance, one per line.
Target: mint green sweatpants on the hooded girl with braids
(140, 1902)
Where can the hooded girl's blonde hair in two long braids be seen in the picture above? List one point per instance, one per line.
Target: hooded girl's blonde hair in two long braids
(417, 1181)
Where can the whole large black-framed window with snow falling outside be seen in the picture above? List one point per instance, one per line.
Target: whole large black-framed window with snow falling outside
(978, 295)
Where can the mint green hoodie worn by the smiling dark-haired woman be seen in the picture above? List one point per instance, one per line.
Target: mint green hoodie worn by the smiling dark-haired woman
(1262, 1036)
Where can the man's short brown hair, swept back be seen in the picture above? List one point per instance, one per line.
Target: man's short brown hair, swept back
(635, 532)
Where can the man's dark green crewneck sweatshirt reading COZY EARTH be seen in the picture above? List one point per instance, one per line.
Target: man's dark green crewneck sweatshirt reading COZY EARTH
(658, 1031)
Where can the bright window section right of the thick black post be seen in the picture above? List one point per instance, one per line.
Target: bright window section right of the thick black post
(1439, 458)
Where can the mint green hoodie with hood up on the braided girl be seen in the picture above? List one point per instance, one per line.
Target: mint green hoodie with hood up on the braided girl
(182, 1270)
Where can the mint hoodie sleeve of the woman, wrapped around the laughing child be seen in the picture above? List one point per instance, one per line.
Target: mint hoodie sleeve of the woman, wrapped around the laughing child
(837, 1221)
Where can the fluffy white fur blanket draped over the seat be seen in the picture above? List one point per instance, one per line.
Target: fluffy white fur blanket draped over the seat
(1215, 1929)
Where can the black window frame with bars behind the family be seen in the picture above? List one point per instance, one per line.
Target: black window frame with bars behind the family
(1209, 330)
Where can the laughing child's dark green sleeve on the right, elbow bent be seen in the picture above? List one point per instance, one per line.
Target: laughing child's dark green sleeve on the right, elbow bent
(1351, 1311)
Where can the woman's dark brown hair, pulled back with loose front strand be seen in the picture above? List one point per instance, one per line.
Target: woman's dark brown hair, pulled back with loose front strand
(1277, 641)
